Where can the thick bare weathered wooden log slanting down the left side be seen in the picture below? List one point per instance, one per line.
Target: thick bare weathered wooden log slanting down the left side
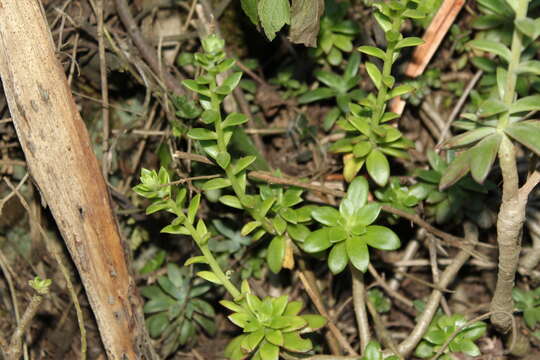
(62, 164)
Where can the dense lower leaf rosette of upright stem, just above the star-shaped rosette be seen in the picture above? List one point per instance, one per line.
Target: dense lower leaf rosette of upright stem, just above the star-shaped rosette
(369, 143)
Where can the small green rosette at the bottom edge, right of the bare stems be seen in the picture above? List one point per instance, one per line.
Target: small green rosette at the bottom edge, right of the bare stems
(442, 328)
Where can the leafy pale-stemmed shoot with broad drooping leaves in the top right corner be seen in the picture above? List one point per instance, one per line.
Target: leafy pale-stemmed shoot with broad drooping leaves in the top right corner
(500, 118)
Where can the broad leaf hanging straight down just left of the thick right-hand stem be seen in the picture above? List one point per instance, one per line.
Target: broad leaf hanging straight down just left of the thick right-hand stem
(483, 155)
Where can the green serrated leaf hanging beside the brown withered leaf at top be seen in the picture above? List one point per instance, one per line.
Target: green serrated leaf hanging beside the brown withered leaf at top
(273, 14)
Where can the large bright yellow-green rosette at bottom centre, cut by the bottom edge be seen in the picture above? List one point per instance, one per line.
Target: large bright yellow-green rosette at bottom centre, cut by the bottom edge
(271, 326)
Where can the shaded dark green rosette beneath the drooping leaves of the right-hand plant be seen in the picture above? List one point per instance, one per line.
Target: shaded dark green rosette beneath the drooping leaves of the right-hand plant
(464, 198)
